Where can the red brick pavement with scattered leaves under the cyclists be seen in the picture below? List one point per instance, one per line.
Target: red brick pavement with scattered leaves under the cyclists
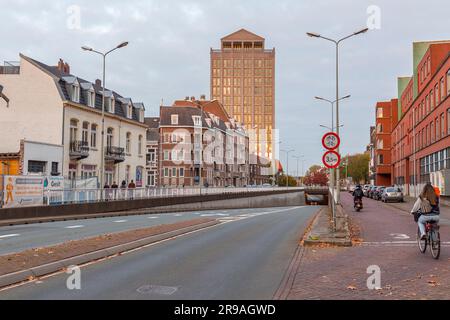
(340, 273)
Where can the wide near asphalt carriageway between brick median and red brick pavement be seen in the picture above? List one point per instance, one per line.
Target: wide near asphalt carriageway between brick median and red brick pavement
(245, 257)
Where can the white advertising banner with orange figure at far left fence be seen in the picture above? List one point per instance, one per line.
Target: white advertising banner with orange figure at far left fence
(23, 191)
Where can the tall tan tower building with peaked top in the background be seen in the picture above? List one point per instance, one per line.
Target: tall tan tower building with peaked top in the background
(243, 80)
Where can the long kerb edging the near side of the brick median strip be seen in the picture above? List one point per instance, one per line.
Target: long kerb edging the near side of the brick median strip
(45, 269)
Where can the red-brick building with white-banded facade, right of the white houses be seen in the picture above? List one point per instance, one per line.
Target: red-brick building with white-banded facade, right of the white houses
(201, 145)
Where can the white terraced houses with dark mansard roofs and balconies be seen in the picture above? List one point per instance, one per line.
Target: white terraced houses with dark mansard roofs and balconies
(54, 108)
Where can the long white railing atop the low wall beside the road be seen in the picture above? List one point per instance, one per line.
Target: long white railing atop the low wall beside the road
(52, 197)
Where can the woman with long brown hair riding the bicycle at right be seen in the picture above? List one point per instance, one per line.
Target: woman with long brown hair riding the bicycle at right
(428, 205)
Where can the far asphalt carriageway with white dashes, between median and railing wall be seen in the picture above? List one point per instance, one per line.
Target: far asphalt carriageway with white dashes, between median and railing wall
(21, 237)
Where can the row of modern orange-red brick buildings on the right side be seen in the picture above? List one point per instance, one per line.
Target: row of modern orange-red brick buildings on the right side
(410, 142)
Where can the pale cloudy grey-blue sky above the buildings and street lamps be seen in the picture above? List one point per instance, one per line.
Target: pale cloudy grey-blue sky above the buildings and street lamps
(169, 45)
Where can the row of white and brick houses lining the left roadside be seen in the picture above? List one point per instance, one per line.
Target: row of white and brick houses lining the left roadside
(52, 125)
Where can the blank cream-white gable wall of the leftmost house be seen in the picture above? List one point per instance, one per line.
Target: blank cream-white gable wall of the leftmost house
(35, 108)
